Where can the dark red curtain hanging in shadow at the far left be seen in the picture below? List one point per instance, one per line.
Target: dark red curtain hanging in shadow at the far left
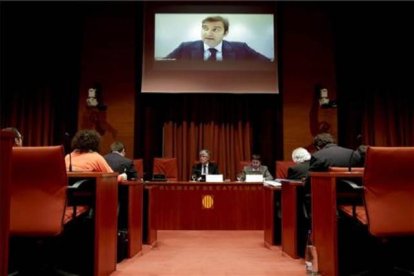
(40, 61)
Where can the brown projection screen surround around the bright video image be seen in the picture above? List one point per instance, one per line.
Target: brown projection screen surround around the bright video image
(167, 75)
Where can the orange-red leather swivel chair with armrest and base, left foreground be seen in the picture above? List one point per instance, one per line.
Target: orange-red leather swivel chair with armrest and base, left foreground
(38, 206)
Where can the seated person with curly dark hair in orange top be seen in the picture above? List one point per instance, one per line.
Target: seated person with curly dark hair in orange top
(85, 156)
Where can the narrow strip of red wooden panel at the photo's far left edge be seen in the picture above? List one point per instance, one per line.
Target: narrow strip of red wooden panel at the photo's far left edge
(6, 144)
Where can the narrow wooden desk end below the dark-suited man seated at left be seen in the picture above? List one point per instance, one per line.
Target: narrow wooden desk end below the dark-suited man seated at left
(134, 217)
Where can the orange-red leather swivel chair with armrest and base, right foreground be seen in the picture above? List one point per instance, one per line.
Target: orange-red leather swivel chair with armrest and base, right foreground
(387, 215)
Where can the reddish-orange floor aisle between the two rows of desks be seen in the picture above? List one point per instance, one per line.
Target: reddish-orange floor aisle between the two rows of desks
(211, 253)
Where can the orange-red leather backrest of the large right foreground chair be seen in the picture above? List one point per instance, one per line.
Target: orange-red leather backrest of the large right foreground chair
(389, 190)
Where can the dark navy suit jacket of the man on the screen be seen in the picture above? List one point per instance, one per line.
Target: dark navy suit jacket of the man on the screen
(194, 50)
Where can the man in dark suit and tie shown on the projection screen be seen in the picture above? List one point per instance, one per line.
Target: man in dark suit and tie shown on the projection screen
(212, 47)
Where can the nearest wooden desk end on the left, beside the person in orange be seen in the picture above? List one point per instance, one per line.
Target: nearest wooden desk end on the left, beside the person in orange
(105, 216)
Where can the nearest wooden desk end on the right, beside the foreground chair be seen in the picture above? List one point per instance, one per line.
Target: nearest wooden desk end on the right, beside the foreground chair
(324, 218)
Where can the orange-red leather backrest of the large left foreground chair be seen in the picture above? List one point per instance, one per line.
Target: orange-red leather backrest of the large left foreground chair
(38, 191)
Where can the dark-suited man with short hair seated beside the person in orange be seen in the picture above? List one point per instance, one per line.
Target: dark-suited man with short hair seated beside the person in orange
(118, 162)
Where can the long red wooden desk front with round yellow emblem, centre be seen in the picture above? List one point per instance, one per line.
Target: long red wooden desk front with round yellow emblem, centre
(182, 205)
